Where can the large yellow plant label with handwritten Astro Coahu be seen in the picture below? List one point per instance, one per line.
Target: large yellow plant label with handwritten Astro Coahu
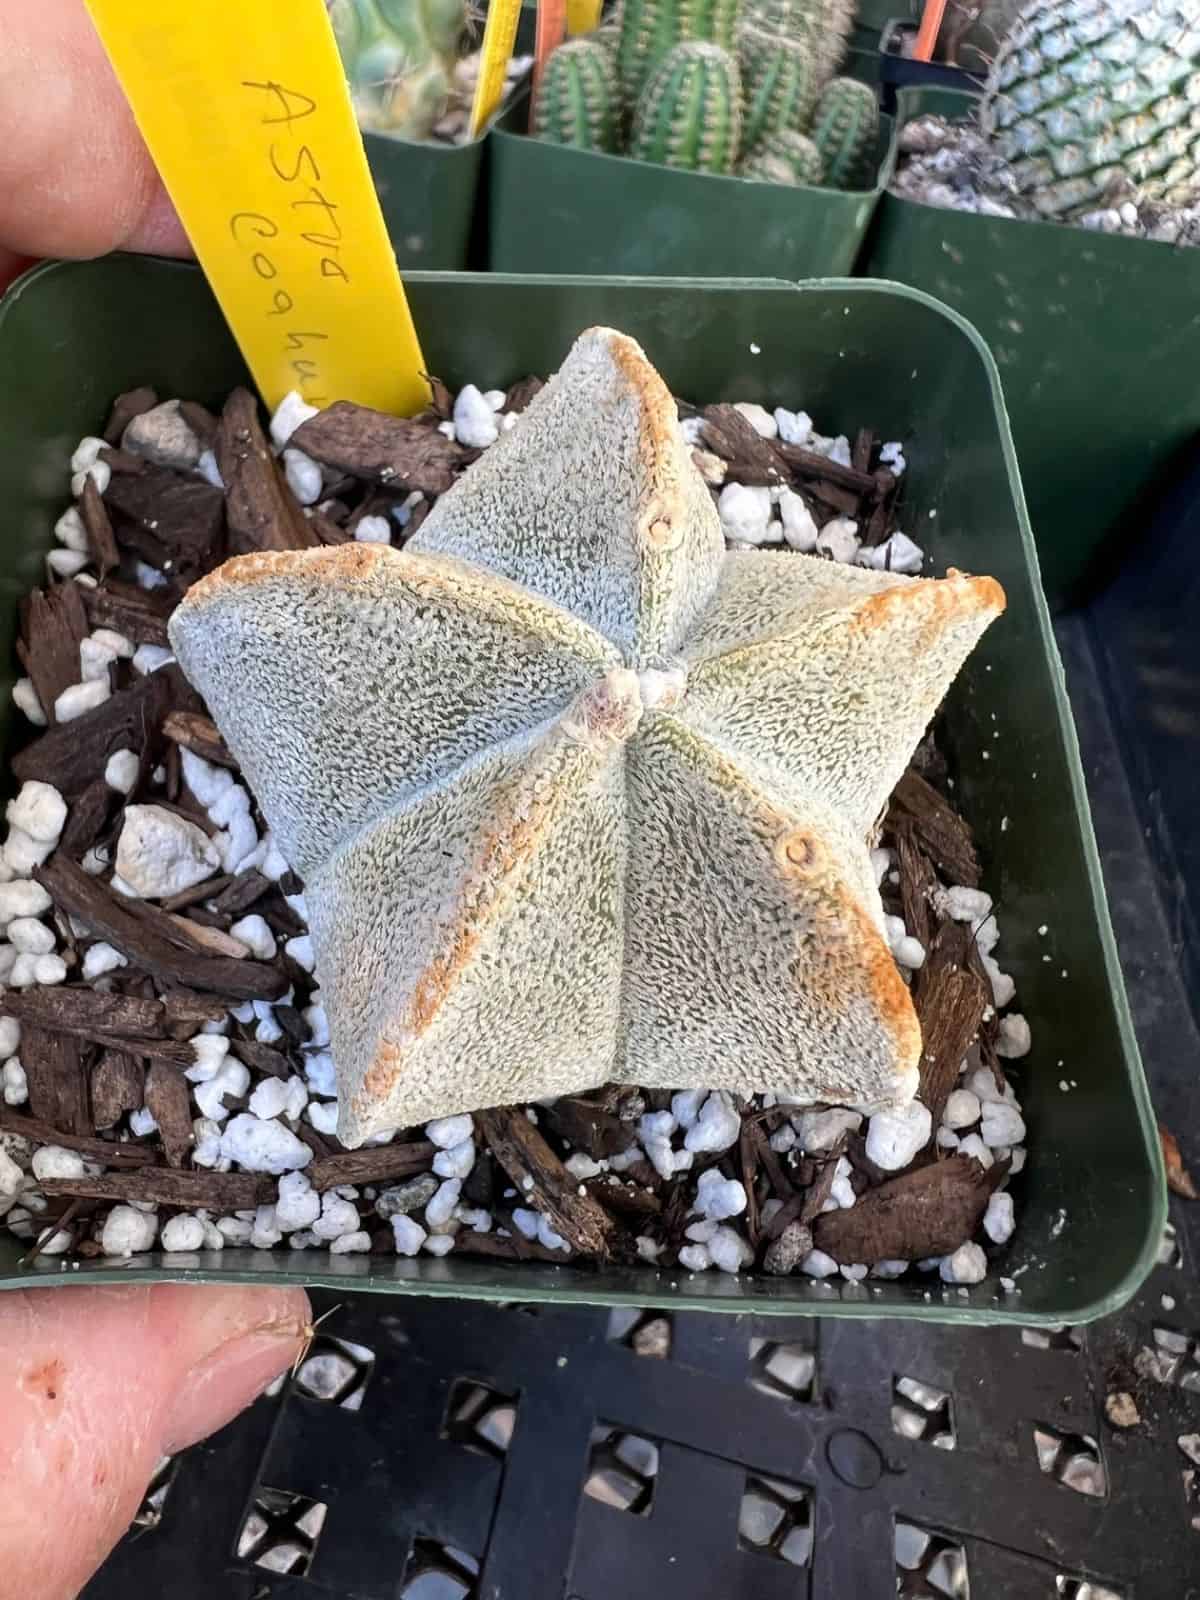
(249, 119)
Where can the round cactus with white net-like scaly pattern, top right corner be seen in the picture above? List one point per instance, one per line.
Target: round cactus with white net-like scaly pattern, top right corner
(1086, 95)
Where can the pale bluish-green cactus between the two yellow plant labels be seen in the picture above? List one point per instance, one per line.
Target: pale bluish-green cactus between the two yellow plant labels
(399, 60)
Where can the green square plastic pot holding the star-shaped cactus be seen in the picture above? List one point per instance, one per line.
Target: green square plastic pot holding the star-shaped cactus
(1092, 1198)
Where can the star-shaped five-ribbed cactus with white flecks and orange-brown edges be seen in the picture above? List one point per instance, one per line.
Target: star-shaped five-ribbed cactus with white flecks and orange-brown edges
(575, 794)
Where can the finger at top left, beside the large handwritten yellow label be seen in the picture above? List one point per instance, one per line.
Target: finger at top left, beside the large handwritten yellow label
(76, 178)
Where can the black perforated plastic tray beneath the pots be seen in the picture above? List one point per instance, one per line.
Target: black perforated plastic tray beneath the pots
(450, 1452)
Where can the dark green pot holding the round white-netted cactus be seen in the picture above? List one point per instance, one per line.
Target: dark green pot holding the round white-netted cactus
(1097, 340)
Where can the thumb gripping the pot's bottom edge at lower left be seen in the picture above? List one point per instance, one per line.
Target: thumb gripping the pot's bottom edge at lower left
(98, 1385)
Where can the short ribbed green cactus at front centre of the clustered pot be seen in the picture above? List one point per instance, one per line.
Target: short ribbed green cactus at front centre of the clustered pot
(690, 113)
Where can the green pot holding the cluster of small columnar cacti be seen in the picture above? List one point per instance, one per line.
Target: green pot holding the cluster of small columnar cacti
(553, 209)
